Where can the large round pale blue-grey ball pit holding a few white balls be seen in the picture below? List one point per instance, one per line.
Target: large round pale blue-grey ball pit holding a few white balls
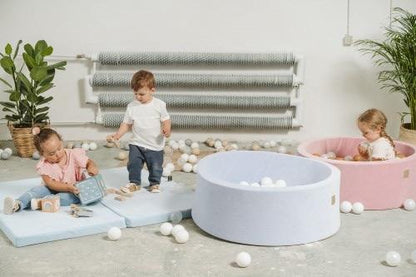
(307, 210)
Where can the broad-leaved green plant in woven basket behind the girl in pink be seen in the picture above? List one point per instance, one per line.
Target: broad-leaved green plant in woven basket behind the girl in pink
(27, 106)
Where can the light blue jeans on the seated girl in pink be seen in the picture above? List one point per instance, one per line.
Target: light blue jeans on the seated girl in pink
(66, 198)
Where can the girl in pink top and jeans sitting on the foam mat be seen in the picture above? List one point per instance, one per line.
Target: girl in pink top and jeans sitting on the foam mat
(59, 168)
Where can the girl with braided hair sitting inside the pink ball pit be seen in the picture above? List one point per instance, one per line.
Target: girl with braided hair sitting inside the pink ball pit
(379, 146)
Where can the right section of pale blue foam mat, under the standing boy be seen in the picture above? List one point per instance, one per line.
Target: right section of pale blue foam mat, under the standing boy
(143, 207)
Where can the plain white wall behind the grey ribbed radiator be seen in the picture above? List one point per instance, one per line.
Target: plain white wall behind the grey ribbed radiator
(339, 81)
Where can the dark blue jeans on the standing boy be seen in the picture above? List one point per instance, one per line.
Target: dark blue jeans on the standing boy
(153, 159)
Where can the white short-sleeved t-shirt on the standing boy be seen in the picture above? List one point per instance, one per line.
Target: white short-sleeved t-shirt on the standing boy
(146, 120)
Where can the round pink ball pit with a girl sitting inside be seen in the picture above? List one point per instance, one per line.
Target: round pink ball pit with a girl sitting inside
(379, 185)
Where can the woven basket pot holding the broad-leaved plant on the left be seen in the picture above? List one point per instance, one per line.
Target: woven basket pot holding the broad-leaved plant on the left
(23, 139)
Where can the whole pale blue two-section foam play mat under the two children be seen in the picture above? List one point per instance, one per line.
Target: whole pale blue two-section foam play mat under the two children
(142, 208)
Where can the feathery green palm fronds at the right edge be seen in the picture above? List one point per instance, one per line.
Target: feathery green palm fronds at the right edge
(397, 57)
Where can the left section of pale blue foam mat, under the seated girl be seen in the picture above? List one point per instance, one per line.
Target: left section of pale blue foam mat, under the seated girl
(30, 227)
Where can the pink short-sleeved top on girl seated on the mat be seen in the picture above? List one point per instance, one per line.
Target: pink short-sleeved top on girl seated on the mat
(71, 172)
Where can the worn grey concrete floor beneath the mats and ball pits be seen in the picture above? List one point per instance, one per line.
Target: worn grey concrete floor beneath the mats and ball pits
(358, 249)
